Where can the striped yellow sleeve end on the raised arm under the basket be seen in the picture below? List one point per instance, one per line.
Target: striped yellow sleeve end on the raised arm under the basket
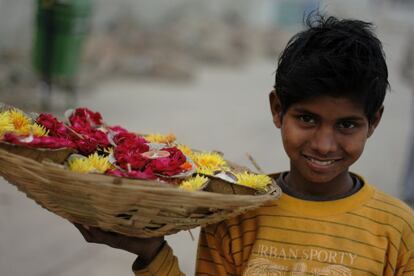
(165, 263)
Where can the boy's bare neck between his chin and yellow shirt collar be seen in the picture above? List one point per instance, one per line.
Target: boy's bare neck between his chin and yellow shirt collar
(340, 185)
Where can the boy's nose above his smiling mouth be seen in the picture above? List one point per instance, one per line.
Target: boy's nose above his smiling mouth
(323, 141)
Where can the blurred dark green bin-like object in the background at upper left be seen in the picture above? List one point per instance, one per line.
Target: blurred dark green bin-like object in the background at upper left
(61, 27)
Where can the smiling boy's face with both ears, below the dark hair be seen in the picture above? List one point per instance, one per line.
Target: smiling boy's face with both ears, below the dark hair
(322, 136)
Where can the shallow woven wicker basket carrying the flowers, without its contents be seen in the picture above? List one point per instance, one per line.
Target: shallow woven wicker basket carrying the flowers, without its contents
(127, 206)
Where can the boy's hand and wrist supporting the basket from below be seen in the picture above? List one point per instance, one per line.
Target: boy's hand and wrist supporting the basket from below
(146, 248)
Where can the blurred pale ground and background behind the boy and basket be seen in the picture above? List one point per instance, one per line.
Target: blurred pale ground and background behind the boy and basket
(199, 69)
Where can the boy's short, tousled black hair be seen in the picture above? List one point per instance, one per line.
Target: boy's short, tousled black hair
(339, 58)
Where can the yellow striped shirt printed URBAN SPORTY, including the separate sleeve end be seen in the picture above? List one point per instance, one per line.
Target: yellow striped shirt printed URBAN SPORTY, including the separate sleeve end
(367, 233)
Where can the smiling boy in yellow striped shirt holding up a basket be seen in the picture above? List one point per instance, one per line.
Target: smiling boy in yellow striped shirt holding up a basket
(330, 85)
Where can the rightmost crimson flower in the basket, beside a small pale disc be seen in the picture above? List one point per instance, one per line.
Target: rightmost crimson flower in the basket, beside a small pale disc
(170, 165)
